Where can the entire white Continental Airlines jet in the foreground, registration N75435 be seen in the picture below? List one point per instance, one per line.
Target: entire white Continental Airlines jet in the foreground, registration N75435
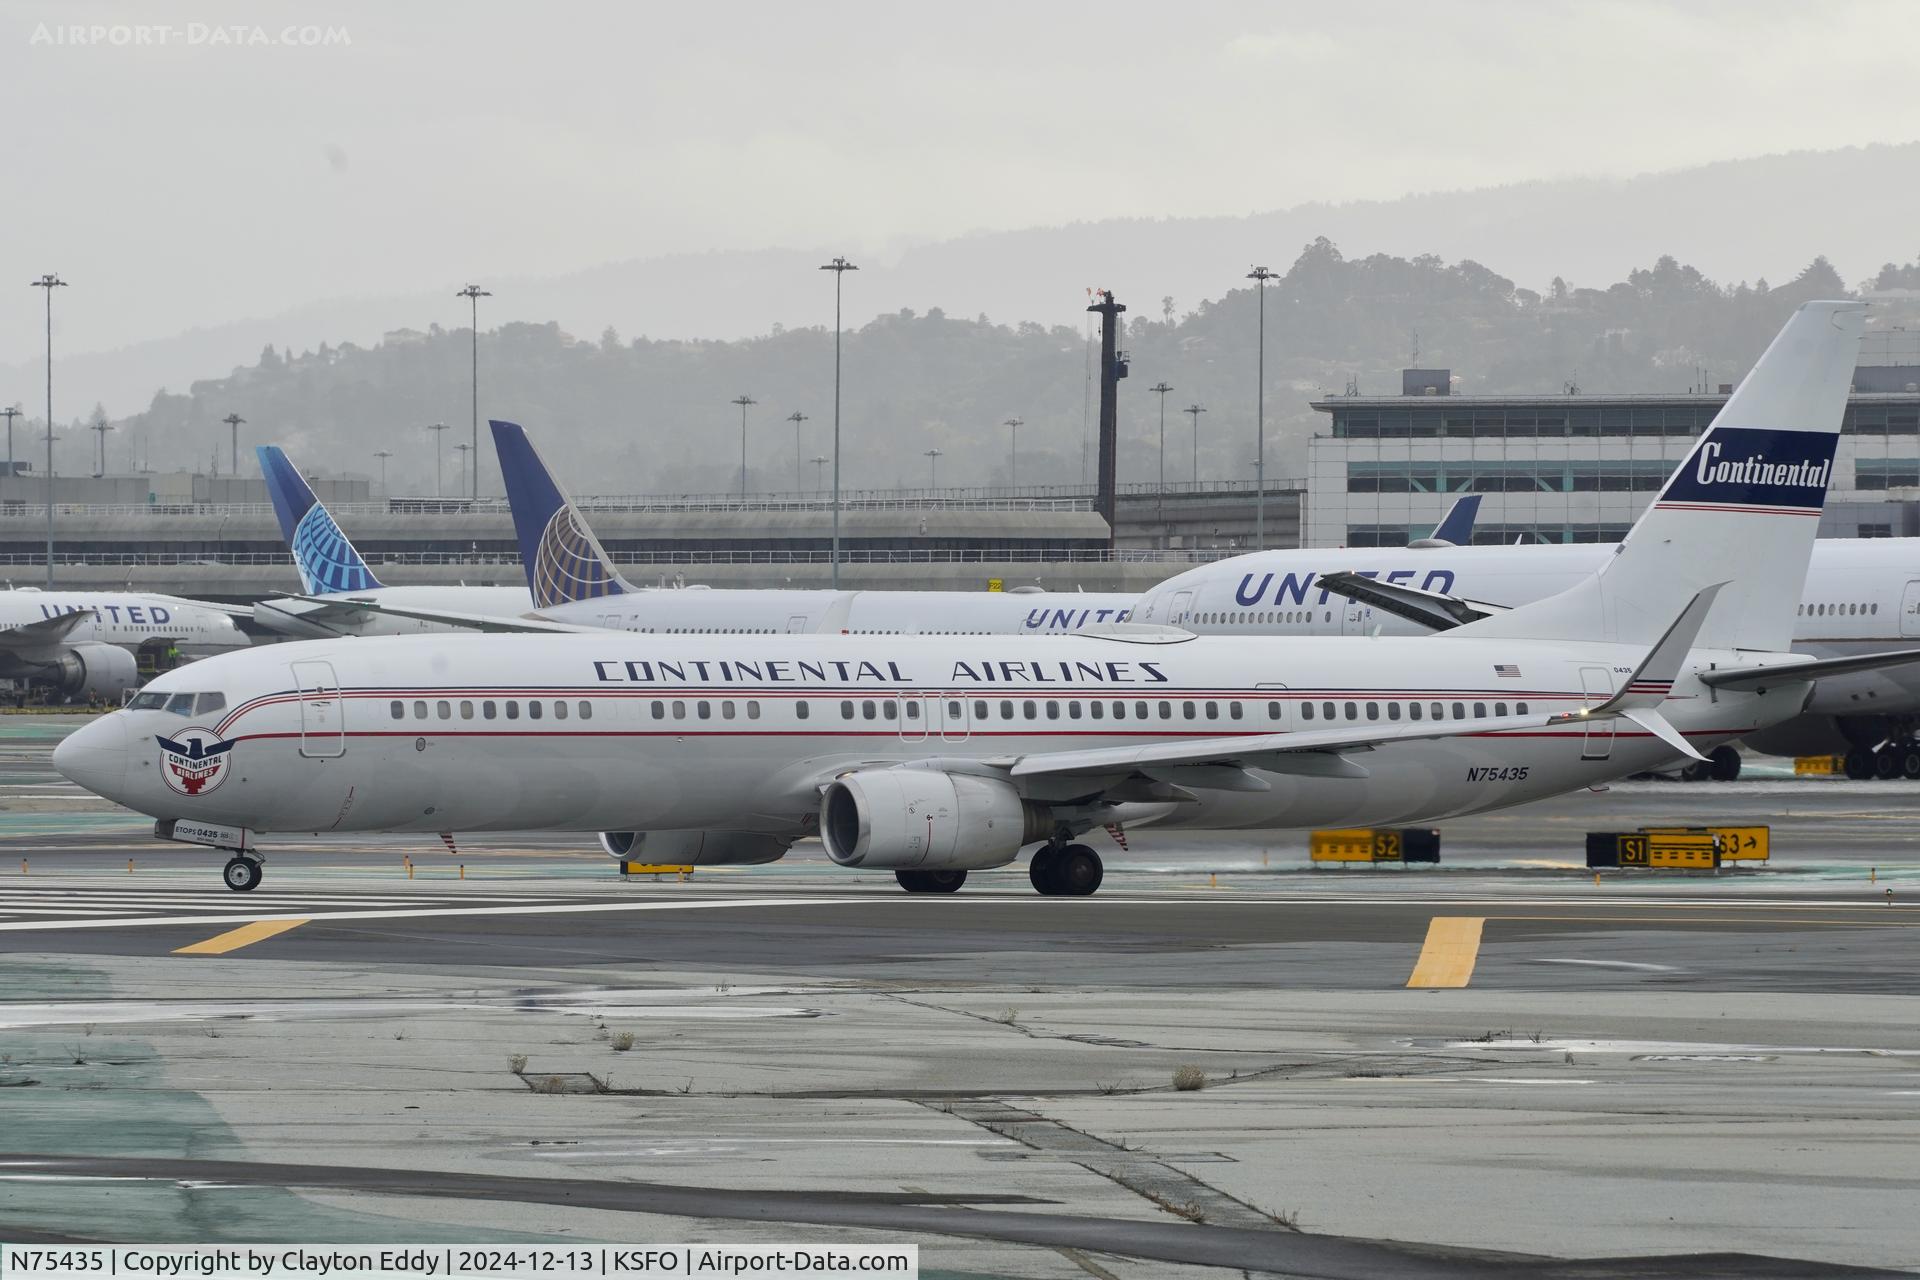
(932, 757)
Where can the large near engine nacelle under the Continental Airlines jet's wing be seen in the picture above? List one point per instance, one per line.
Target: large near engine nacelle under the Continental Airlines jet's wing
(900, 820)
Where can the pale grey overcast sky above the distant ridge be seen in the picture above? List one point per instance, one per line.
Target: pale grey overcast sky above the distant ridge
(224, 176)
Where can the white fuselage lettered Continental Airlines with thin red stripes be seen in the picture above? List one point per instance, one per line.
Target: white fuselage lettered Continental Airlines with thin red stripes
(621, 732)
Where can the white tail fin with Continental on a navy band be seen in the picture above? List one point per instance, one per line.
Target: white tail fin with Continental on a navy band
(1740, 510)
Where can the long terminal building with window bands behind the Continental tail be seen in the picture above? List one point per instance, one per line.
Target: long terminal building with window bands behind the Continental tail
(1572, 467)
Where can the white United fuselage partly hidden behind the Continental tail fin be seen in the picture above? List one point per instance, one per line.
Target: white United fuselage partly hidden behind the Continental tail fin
(1861, 596)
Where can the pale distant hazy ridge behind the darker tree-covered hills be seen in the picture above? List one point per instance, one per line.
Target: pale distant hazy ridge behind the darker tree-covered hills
(1737, 220)
